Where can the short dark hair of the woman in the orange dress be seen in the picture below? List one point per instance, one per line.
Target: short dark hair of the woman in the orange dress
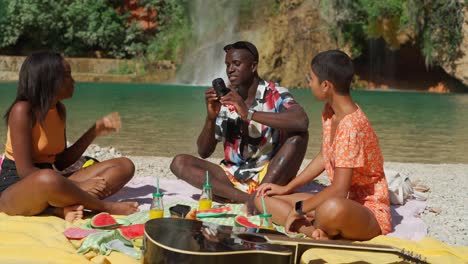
(336, 67)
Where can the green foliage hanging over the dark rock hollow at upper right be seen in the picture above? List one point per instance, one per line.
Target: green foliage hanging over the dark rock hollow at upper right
(436, 24)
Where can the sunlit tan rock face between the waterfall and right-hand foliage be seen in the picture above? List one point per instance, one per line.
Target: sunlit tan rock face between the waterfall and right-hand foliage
(287, 42)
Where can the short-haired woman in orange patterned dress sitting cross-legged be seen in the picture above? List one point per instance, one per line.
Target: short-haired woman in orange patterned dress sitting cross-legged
(356, 203)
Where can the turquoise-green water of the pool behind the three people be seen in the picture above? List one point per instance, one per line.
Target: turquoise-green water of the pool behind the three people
(164, 120)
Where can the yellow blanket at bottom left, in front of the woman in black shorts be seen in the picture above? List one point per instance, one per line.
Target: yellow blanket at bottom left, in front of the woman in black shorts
(39, 239)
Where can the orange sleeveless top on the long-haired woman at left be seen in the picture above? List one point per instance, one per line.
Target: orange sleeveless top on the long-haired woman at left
(48, 139)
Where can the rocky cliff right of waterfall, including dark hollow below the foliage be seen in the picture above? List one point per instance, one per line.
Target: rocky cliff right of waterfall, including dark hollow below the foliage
(288, 40)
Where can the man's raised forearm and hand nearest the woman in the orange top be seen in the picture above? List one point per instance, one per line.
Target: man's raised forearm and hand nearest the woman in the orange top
(206, 142)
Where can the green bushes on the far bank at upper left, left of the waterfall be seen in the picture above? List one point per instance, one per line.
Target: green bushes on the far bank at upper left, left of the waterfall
(70, 26)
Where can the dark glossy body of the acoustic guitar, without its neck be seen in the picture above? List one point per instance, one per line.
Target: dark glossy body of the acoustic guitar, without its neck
(171, 240)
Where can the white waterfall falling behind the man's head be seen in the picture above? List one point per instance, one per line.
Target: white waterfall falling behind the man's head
(214, 24)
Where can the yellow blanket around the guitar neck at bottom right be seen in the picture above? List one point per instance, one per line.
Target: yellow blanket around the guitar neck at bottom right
(432, 250)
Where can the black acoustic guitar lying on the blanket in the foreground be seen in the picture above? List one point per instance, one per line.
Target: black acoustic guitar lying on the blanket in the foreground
(170, 240)
